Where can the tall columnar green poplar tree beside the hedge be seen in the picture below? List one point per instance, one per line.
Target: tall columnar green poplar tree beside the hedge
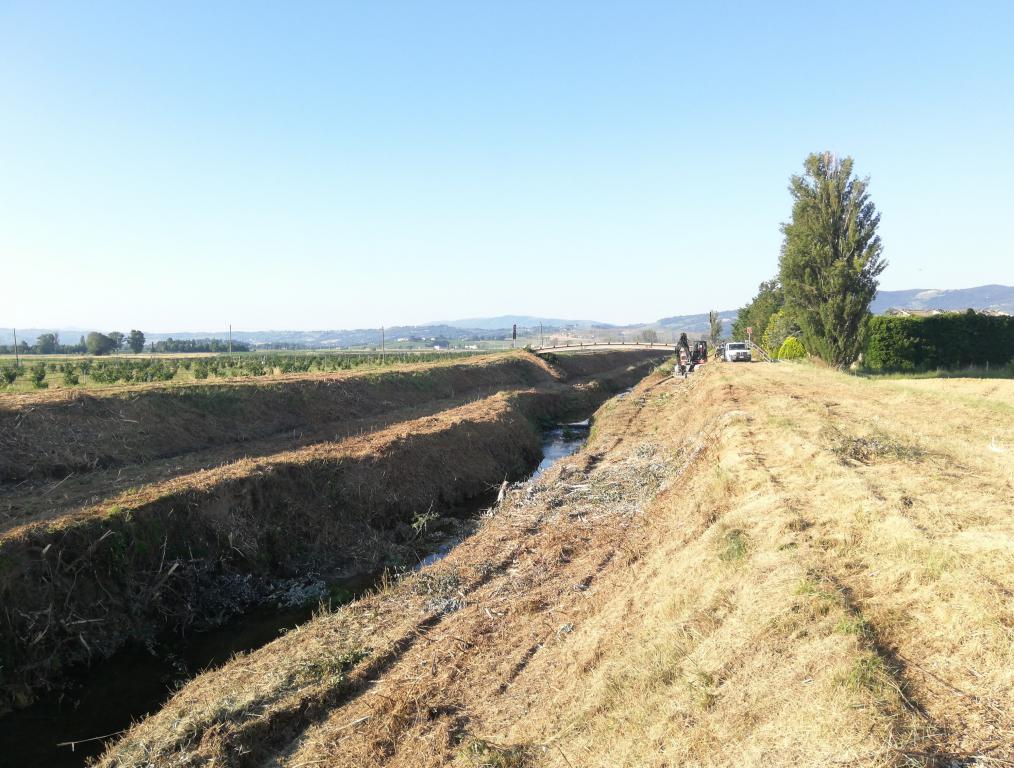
(831, 258)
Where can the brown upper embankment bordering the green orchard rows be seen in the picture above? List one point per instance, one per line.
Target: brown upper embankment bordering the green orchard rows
(53, 435)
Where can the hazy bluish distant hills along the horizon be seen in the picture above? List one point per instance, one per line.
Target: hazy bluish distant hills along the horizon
(996, 298)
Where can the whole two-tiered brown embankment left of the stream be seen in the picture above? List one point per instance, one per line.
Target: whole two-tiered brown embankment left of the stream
(127, 513)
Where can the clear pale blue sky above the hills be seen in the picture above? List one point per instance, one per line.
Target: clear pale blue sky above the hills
(177, 166)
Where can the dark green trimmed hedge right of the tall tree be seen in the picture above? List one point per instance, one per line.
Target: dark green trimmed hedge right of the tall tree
(943, 341)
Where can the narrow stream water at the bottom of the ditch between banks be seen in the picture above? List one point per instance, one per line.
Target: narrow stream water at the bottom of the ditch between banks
(105, 700)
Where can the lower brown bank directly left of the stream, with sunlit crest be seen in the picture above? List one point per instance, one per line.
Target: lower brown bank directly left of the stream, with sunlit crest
(76, 590)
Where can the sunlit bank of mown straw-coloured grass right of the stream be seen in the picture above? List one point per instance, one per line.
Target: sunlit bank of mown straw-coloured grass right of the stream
(764, 566)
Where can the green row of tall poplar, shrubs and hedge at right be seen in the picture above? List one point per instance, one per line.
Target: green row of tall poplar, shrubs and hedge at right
(820, 301)
